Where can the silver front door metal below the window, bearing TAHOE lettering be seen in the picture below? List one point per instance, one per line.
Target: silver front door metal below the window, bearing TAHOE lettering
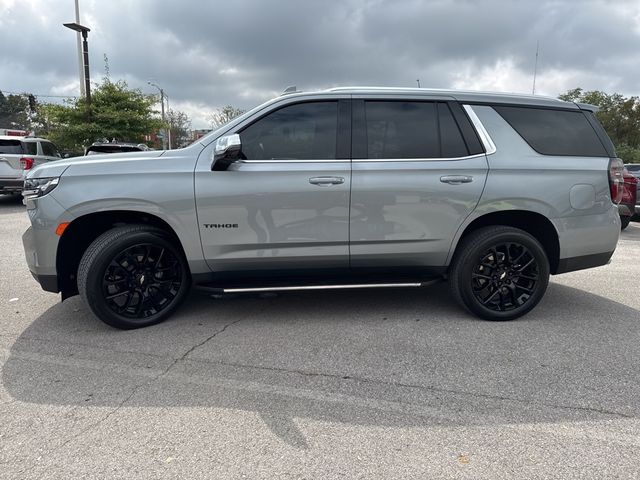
(277, 218)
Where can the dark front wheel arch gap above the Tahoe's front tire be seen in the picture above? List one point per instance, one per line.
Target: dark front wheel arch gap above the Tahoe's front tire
(82, 231)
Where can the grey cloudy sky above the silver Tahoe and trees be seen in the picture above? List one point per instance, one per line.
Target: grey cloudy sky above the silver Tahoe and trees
(207, 54)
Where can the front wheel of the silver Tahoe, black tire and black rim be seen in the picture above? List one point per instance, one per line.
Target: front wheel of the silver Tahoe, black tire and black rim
(133, 276)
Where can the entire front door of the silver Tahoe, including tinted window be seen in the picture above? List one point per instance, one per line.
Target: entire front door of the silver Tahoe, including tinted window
(286, 204)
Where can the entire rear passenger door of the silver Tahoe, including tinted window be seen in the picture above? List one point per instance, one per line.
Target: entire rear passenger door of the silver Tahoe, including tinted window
(416, 177)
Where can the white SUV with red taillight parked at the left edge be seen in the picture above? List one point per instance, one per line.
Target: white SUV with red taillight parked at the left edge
(18, 155)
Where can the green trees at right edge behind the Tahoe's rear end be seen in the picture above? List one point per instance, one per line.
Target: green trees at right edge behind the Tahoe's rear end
(619, 115)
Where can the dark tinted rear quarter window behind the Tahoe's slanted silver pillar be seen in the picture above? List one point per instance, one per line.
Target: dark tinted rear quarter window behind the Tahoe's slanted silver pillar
(554, 132)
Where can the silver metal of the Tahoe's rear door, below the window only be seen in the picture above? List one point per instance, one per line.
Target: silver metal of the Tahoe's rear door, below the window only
(402, 214)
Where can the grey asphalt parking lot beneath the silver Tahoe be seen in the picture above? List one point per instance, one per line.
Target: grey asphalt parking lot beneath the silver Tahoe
(337, 384)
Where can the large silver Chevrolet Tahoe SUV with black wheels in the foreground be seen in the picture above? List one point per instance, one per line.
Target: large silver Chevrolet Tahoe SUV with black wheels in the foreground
(349, 187)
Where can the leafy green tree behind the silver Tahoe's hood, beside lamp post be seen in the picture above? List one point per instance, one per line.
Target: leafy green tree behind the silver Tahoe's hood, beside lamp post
(115, 112)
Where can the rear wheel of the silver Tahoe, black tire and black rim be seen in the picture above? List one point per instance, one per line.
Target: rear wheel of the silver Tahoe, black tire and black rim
(487, 278)
